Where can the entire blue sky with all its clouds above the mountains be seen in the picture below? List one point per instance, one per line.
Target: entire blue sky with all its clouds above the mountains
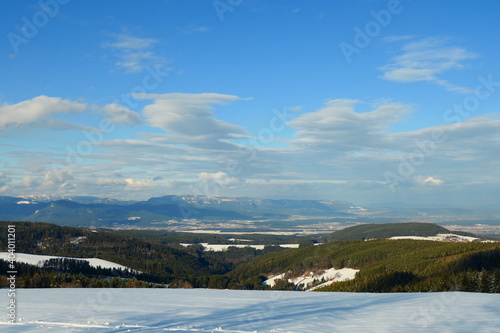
(362, 101)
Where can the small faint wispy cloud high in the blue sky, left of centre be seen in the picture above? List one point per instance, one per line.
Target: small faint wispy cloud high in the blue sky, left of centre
(134, 53)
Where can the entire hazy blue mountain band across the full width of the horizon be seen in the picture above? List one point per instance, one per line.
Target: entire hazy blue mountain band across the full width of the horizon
(177, 209)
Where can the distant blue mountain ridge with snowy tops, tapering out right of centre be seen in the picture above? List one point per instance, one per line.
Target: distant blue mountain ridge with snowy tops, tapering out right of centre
(94, 211)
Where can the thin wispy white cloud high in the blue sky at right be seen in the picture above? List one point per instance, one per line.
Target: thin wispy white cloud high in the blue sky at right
(427, 60)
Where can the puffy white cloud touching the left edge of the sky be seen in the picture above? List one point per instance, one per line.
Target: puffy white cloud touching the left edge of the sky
(39, 111)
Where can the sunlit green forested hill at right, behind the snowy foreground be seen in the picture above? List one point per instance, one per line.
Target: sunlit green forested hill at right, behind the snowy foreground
(389, 265)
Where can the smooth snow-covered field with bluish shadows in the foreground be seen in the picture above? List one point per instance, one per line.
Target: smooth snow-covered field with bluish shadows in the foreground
(200, 310)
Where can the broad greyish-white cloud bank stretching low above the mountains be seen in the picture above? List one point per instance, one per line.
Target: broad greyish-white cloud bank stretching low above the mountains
(338, 153)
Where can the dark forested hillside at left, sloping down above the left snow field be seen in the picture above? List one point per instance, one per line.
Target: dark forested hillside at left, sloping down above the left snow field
(162, 262)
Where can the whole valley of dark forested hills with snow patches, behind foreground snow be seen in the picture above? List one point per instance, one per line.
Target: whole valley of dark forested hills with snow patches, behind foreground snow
(391, 257)
